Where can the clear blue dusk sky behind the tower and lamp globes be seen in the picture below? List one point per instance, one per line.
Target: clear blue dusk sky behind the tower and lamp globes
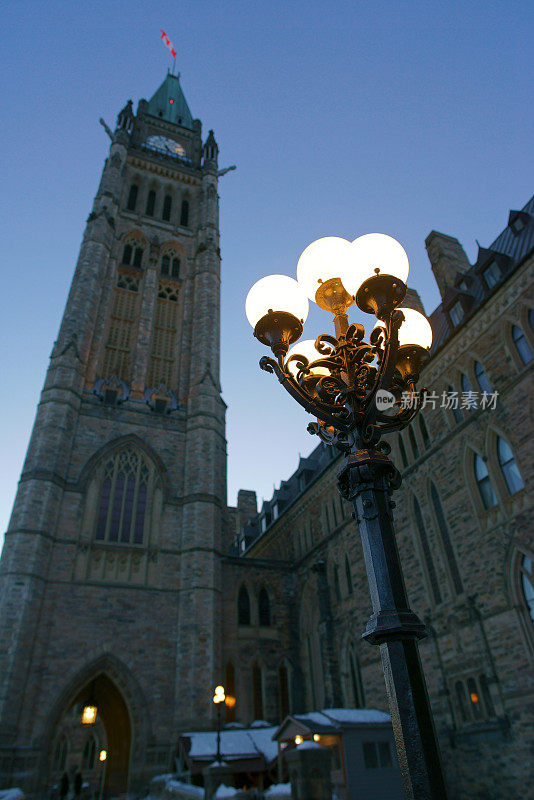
(342, 118)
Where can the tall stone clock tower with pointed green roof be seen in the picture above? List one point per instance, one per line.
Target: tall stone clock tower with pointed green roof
(110, 573)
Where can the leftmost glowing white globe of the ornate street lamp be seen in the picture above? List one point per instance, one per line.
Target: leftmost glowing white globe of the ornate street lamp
(276, 293)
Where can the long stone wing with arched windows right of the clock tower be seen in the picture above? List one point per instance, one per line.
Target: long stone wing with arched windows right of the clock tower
(465, 528)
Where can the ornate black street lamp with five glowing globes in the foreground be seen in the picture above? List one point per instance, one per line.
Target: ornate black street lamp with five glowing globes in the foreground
(358, 390)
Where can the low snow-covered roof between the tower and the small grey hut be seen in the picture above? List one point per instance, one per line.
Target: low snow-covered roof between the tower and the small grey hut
(235, 744)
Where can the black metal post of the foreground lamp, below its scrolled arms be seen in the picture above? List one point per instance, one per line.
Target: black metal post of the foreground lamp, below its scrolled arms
(367, 479)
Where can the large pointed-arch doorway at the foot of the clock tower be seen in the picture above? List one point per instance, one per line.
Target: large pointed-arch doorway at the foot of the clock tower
(77, 746)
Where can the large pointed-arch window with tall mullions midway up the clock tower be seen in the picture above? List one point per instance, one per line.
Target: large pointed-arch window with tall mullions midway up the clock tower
(123, 498)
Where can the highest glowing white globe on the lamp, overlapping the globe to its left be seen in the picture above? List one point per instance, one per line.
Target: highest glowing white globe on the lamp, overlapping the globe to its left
(372, 252)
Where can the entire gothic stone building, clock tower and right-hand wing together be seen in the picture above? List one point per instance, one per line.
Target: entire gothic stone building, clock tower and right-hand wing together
(127, 584)
